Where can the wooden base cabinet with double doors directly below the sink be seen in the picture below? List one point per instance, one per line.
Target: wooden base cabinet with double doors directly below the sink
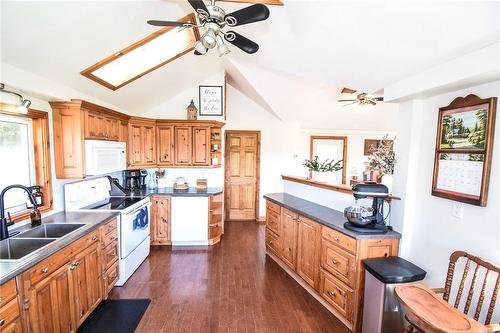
(60, 292)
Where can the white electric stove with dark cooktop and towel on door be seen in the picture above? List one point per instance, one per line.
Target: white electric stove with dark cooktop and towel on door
(133, 222)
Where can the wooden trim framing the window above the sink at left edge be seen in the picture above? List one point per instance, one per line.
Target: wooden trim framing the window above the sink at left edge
(41, 143)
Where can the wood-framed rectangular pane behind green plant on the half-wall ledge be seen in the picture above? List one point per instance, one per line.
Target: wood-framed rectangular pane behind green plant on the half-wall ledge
(328, 148)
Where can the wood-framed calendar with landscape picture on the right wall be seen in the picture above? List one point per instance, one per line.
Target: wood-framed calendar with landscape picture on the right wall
(464, 144)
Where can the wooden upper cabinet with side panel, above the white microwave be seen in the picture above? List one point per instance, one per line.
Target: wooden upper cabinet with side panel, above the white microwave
(76, 121)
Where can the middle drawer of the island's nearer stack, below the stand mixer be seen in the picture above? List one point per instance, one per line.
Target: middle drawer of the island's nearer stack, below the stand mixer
(340, 263)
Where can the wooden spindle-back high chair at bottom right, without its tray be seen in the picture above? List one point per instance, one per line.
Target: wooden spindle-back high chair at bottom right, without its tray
(478, 265)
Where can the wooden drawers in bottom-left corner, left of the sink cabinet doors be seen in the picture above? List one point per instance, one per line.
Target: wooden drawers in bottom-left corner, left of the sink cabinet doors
(10, 320)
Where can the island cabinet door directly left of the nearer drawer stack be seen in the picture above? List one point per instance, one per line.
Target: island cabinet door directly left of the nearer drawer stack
(308, 250)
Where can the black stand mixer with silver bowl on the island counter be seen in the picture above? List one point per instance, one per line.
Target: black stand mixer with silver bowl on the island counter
(367, 220)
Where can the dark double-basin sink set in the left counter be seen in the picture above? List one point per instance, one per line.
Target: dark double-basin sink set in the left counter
(33, 240)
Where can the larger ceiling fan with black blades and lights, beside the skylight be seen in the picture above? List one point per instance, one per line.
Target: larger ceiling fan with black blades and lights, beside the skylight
(213, 19)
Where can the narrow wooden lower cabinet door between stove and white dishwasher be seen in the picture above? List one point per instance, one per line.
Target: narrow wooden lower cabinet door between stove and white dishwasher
(160, 216)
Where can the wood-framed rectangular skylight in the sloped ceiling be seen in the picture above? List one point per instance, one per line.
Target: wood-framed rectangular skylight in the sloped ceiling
(144, 56)
